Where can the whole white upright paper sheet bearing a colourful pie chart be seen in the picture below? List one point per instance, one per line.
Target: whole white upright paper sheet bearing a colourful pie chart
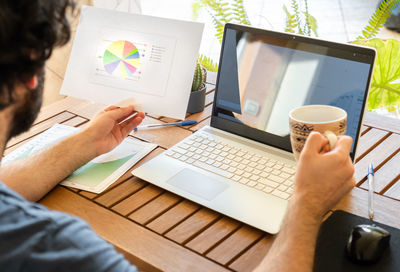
(118, 55)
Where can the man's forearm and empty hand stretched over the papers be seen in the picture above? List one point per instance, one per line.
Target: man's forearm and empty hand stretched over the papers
(35, 176)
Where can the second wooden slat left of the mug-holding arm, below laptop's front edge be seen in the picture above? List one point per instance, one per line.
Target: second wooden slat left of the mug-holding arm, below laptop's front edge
(235, 244)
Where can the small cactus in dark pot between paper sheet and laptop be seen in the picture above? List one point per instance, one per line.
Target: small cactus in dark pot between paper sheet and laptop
(198, 94)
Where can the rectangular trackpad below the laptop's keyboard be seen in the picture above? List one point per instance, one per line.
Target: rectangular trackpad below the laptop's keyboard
(198, 184)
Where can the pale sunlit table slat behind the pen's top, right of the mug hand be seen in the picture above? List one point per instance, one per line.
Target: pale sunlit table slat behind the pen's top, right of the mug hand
(377, 156)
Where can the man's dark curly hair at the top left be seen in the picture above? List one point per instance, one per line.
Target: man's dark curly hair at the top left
(29, 30)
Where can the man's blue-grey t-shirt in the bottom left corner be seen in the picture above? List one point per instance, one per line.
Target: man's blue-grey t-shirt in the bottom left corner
(33, 238)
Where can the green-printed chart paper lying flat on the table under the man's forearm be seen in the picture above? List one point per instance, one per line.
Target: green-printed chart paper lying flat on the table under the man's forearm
(99, 173)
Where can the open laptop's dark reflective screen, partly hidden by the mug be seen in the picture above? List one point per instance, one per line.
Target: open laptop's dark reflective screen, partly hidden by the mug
(263, 75)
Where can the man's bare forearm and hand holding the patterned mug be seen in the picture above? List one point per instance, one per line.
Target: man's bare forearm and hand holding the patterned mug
(322, 179)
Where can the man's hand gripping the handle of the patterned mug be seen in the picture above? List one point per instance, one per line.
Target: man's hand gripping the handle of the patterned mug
(323, 178)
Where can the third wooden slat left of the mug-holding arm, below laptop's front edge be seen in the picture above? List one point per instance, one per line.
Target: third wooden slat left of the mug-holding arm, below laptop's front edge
(212, 235)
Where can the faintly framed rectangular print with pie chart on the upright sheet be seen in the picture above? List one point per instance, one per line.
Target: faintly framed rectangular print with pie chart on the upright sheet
(127, 60)
